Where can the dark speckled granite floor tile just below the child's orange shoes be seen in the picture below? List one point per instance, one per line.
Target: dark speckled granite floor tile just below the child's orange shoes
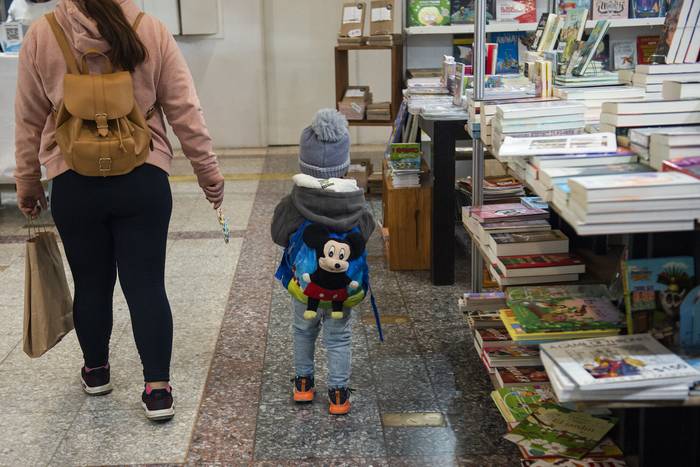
(310, 429)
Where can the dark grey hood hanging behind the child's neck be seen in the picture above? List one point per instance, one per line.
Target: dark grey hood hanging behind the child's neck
(338, 211)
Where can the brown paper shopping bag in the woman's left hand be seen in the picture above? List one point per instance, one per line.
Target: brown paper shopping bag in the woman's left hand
(48, 307)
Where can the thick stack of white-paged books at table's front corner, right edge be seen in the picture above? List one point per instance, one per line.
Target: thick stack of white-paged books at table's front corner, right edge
(641, 202)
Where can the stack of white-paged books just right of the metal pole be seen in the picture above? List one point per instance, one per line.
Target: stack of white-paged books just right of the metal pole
(536, 119)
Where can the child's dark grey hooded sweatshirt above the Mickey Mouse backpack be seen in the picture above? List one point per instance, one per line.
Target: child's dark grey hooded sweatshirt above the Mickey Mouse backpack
(339, 212)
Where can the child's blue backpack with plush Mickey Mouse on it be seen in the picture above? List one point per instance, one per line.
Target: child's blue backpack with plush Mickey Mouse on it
(328, 270)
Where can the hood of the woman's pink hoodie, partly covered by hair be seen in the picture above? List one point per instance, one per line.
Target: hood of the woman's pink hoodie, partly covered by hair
(81, 30)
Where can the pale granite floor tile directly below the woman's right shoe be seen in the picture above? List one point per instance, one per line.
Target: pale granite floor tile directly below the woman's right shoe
(99, 438)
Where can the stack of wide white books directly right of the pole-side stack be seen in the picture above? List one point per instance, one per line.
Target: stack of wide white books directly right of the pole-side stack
(621, 117)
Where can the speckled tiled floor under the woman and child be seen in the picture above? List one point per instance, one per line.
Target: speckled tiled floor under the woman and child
(232, 358)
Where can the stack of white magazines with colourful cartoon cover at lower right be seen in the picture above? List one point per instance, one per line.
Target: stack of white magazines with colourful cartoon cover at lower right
(620, 368)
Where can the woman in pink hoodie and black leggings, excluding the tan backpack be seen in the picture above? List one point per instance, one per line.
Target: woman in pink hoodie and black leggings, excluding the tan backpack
(113, 225)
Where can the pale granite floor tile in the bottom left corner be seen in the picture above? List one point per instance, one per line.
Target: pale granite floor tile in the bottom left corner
(40, 431)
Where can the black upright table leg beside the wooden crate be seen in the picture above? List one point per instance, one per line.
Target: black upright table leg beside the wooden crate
(443, 241)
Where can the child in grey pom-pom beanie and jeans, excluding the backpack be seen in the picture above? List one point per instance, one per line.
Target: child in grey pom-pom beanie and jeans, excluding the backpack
(321, 196)
